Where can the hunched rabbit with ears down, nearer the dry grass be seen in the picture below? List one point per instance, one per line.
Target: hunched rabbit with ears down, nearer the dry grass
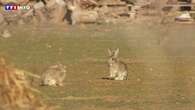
(54, 75)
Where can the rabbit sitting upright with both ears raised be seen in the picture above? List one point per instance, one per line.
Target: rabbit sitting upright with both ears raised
(117, 69)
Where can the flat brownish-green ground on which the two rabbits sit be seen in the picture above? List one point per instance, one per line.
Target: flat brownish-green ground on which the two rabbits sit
(160, 58)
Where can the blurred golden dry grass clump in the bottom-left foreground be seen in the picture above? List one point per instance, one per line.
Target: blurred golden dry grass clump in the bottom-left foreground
(15, 93)
